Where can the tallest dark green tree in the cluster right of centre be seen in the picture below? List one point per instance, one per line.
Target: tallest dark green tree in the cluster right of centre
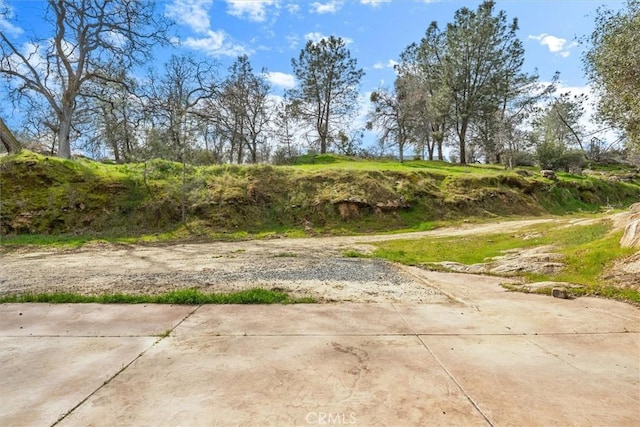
(482, 57)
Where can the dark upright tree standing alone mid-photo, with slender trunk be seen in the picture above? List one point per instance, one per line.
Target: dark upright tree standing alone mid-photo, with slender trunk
(328, 79)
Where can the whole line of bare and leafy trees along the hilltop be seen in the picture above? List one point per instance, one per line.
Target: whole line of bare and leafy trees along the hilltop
(462, 86)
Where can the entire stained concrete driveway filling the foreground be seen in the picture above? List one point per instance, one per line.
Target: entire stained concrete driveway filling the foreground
(487, 357)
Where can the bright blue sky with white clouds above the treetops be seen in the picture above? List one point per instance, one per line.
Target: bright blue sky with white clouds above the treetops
(271, 32)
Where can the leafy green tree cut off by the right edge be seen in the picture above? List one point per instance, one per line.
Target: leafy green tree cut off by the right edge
(611, 63)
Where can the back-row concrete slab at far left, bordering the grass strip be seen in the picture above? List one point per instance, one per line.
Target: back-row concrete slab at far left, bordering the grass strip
(89, 319)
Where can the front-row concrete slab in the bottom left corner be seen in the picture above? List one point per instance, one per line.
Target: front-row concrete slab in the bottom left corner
(44, 378)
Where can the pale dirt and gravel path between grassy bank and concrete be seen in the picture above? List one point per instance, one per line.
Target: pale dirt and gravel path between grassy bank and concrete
(302, 267)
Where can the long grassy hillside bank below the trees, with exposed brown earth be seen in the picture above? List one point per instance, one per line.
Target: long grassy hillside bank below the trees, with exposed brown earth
(326, 194)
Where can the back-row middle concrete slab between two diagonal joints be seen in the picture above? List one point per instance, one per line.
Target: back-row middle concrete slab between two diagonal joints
(305, 319)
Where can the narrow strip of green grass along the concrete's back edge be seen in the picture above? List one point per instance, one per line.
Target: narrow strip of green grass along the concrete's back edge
(180, 297)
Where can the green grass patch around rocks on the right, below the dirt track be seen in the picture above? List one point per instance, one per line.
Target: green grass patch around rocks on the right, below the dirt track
(588, 251)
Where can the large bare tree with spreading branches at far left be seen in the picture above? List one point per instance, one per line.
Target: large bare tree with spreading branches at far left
(85, 35)
